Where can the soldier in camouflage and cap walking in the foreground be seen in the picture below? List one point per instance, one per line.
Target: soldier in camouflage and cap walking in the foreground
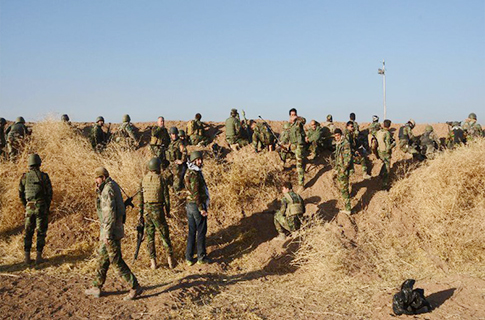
(112, 215)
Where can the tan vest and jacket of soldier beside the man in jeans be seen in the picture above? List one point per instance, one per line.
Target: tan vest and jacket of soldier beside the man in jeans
(154, 190)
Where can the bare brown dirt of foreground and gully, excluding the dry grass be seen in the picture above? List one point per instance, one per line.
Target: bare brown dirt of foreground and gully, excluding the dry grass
(244, 256)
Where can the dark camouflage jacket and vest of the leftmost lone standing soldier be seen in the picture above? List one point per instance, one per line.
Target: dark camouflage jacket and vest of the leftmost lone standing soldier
(35, 189)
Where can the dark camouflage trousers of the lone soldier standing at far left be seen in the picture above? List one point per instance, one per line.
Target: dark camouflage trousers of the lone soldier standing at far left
(36, 220)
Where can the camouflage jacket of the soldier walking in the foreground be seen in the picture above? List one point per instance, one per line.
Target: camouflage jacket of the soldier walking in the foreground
(111, 210)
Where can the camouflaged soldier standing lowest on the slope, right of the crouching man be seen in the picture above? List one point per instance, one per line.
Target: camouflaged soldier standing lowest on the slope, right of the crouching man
(343, 165)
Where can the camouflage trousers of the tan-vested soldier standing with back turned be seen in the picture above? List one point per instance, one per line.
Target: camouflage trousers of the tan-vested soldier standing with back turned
(155, 220)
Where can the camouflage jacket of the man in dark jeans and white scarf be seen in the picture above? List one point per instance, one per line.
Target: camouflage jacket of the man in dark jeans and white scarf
(196, 187)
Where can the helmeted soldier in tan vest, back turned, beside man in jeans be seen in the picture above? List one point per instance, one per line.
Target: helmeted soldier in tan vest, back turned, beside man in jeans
(154, 206)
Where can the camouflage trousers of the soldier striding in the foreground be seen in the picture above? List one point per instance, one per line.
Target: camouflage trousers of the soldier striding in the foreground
(110, 253)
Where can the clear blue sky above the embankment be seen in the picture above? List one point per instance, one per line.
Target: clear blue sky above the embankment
(176, 58)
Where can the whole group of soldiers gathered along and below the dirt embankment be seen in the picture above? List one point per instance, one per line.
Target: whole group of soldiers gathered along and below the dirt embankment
(172, 167)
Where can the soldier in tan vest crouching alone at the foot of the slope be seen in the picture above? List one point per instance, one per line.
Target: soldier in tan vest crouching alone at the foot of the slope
(291, 211)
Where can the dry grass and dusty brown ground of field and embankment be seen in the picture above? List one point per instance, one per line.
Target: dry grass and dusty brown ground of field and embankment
(253, 276)
